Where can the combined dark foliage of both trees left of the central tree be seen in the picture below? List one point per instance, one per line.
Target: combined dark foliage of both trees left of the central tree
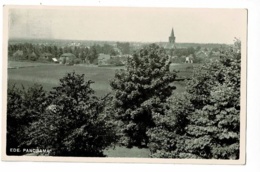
(70, 121)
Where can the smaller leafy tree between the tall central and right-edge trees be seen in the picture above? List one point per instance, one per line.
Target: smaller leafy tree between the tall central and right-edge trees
(168, 136)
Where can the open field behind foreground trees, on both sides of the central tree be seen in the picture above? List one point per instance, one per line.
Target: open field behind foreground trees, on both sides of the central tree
(48, 75)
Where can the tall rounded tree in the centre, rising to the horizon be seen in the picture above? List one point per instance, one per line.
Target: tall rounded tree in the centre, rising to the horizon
(140, 93)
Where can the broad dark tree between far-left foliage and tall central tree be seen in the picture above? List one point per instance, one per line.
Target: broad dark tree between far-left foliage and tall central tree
(74, 123)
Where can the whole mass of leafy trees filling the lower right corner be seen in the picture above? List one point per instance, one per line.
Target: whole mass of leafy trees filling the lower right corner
(204, 121)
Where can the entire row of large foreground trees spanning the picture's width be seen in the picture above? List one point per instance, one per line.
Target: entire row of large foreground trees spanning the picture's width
(143, 110)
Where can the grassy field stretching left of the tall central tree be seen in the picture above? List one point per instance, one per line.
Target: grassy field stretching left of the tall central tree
(48, 76)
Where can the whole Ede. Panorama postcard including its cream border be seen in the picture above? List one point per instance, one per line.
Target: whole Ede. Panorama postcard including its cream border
(125, 84)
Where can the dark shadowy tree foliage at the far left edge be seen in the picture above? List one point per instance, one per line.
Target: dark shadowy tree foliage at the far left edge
(23, 108)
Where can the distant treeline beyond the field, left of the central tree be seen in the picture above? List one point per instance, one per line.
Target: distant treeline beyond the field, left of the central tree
(34, 52)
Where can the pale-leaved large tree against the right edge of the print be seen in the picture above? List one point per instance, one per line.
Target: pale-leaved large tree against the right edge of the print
(214, 128)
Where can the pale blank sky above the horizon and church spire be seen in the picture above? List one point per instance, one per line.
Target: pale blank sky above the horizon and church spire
(127, 24)
